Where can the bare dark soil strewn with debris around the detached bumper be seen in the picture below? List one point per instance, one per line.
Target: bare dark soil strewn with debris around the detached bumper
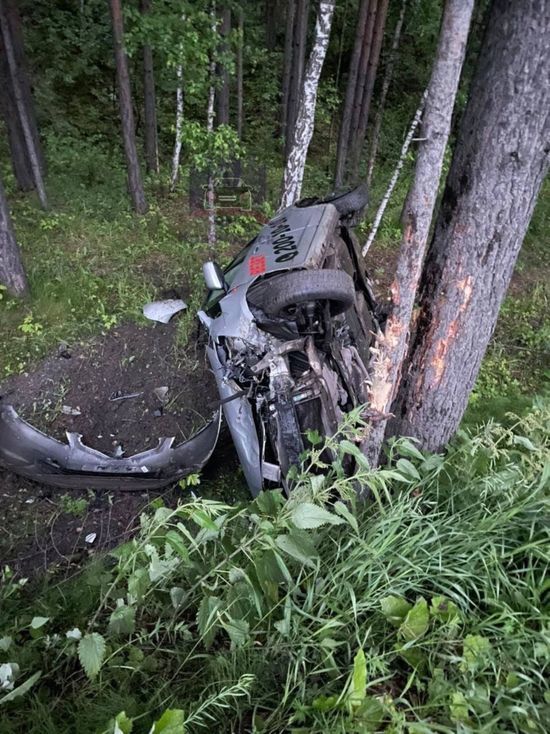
(122, 392)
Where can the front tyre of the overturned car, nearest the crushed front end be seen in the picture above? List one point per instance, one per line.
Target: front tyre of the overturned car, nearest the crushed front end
(282, 292)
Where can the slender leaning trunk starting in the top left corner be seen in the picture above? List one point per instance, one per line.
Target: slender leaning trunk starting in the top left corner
(10, 30)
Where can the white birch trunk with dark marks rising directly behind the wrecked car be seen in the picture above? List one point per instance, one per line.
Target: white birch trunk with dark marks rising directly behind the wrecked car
(295, 165)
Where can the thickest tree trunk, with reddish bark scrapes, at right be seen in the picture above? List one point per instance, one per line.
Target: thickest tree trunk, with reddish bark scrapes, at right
(499, 163)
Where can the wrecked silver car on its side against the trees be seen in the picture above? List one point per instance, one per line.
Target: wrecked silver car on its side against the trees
(290, 326)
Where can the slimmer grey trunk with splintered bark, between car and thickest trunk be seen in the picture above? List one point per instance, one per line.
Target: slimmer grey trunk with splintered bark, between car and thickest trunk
(417, 217)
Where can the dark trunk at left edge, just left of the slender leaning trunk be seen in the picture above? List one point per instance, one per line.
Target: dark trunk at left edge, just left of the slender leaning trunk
(18, 148)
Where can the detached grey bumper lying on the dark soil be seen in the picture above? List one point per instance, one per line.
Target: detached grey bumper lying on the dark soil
(29, 452)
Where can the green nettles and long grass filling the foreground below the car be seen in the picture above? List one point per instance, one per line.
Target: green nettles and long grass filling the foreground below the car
(418, 610)
